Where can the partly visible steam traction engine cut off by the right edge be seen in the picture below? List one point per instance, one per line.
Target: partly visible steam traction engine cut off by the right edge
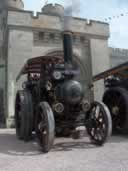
(116, 95)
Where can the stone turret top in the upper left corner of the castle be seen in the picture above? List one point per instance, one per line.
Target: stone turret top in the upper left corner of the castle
(11, 4)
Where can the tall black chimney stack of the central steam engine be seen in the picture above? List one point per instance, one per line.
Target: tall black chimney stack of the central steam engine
(68, 50)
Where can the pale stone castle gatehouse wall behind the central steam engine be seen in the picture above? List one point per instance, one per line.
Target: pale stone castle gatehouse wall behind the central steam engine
(24, 35)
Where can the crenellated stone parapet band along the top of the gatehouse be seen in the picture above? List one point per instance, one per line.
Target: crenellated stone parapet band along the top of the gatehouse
(43, 21)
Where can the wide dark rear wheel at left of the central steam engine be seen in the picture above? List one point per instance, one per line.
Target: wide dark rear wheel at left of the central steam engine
(23, 115)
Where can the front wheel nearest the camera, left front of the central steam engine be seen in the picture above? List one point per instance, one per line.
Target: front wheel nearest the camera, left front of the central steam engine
(45, 126)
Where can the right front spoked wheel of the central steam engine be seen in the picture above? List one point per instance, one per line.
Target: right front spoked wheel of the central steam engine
(99, 124)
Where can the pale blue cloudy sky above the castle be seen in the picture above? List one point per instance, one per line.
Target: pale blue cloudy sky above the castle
(115, 11)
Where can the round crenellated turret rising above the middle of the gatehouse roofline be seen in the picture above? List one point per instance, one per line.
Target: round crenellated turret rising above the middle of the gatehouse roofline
(53, 9)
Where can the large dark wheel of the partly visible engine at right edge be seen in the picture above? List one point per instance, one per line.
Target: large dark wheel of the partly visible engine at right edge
(117, 101)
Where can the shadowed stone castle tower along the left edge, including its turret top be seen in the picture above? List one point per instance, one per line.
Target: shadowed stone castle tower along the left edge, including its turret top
(5, 6)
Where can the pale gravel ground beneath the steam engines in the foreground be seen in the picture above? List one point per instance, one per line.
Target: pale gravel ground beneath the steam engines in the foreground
(67, 155)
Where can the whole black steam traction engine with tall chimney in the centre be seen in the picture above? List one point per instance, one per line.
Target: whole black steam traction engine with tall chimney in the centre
(52, 102)
